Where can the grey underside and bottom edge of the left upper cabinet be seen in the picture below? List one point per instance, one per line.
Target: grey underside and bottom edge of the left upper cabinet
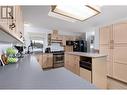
(7, 37)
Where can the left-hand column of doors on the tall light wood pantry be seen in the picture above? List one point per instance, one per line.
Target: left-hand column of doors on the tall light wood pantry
(106, 47)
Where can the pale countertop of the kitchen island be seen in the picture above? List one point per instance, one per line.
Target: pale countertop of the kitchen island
(93, 55)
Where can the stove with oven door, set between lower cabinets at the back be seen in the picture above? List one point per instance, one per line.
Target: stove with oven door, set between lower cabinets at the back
(58, 59)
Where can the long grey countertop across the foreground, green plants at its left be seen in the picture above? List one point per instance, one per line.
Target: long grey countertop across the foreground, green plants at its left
(28, 74)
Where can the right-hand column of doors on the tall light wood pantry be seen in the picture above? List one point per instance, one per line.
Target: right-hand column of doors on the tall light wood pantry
(120, 51)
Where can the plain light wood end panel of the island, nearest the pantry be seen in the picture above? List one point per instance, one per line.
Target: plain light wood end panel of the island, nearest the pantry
(99, 76)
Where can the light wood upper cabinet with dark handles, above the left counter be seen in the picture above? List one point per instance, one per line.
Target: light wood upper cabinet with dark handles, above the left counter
(11, 24)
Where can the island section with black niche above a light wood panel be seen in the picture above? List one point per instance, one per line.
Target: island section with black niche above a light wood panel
(86, 70)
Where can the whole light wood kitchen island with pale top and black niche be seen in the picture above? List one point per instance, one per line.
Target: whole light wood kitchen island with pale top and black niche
(90, 66)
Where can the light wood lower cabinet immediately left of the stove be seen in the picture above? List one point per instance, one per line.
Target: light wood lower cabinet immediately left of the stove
(45, 60)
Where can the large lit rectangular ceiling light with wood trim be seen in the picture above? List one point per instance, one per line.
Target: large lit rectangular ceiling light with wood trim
(80, 13)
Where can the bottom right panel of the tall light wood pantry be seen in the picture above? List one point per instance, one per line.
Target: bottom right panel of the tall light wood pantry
(120, 71)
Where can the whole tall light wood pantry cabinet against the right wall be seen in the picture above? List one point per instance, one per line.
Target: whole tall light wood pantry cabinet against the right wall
(116, 50)
